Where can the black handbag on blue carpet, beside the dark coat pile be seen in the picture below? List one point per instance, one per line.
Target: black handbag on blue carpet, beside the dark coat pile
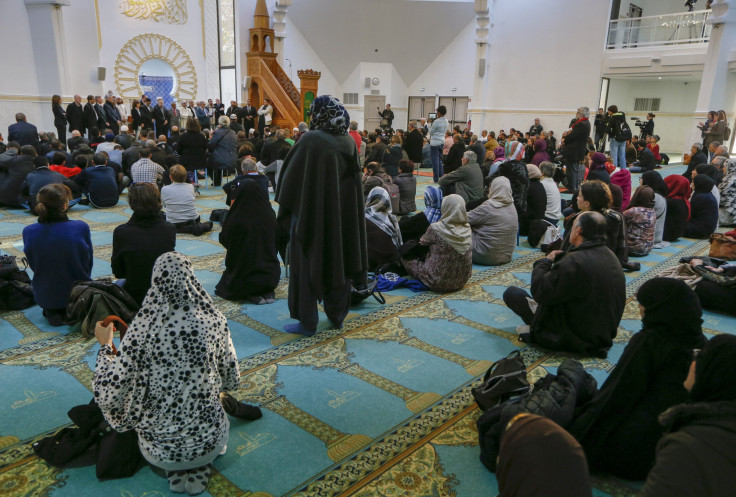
(506, 378)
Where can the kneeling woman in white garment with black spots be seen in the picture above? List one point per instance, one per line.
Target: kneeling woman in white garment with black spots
(165, 381)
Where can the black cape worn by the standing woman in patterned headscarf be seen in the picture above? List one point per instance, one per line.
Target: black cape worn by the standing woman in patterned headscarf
(320, 185)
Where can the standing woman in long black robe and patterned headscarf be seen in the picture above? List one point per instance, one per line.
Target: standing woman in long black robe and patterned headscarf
(320, 196)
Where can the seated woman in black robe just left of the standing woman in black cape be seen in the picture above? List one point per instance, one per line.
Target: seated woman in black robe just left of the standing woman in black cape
(252, 269)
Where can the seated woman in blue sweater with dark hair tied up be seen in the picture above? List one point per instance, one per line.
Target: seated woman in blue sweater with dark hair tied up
(59, 251)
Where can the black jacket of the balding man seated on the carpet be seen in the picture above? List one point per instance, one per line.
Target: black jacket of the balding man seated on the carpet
(581, 299)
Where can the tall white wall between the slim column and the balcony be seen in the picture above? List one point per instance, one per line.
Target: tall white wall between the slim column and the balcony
(546, 65)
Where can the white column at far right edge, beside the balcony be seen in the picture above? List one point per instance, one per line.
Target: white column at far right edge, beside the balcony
(713, 93)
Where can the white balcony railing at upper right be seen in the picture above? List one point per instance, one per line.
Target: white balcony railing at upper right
(671, 29)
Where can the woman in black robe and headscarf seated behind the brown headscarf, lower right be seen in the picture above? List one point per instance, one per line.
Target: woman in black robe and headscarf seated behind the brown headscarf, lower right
(618, 428)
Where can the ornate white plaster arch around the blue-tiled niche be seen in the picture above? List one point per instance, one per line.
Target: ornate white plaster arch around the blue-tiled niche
(154, 46)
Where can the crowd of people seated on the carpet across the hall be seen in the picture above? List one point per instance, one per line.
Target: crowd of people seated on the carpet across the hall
(665, 414)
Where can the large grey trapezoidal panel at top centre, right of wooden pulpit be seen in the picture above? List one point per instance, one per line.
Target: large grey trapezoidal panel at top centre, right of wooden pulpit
(407, 33)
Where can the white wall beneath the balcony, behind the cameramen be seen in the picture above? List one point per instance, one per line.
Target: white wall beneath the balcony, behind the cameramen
(673, 121)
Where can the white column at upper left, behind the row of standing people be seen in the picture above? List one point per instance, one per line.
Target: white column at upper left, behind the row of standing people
(49, 45)
